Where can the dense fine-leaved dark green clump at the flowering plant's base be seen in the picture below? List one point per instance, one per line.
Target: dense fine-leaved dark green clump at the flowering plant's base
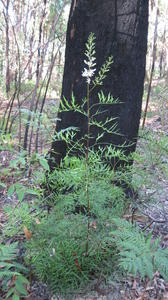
(57, 253)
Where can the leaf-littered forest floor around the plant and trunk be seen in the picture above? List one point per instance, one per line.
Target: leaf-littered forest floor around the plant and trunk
(149, 211)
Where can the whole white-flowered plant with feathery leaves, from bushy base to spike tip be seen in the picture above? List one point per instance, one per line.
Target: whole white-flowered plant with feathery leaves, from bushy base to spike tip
(72, 244)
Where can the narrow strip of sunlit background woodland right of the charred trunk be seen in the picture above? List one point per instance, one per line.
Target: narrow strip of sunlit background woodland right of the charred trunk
(156, 68)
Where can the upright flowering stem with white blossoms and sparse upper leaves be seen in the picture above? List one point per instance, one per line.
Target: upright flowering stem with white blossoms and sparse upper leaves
(88, 73)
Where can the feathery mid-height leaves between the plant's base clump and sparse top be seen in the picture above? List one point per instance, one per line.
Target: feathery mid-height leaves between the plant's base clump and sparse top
(67, 184)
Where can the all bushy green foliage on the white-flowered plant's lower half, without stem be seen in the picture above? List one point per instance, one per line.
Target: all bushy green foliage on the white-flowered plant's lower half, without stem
(57, 249)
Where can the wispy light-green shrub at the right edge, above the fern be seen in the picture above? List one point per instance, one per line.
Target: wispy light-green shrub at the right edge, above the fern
(151, 162)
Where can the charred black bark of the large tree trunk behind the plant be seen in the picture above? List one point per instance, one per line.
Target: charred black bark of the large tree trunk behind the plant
(121, 30)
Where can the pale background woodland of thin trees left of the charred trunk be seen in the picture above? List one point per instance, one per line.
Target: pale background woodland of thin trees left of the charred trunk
(32, 37)
